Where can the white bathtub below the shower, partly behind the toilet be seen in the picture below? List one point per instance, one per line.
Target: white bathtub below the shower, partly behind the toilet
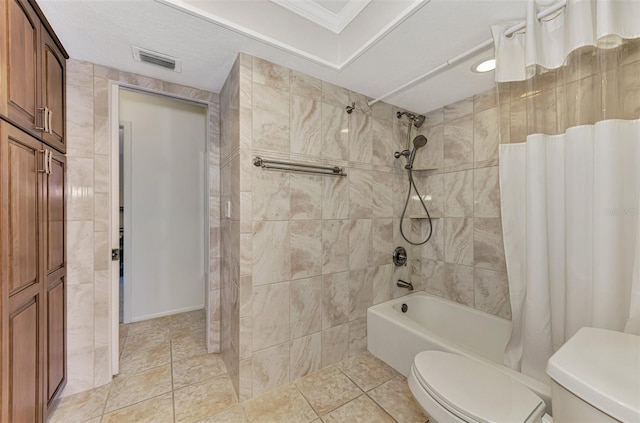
(433, 323)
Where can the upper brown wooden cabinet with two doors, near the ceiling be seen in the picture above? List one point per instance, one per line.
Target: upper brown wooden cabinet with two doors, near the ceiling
(33, 64)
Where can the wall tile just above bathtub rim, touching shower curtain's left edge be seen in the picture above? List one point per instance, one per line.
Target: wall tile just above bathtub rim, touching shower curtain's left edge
(492, 292)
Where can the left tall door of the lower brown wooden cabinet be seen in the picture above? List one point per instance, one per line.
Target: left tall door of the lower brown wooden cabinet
(21, 158)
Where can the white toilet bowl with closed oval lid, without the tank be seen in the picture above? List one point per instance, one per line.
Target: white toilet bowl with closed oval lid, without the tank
(475, 391)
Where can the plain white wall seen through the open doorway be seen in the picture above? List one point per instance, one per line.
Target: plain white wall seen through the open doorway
(167, 191)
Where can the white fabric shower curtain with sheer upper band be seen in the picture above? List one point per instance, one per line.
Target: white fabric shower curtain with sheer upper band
(570, 201)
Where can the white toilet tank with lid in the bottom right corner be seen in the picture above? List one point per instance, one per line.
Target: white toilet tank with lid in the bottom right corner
(596, 377)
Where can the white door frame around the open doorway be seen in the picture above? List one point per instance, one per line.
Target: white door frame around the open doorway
(114, 130)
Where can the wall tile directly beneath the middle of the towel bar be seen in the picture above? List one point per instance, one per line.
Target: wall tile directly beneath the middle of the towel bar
(306, 196)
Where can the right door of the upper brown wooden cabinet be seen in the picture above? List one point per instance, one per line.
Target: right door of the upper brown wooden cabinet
(53, 96)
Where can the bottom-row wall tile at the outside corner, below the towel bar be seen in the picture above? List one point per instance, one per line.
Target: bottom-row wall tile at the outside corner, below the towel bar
(270, 368)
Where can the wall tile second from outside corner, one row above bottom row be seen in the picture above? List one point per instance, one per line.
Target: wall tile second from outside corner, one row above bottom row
(306, 306)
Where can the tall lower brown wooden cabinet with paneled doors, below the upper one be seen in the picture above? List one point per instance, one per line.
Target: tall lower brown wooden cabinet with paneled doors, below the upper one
(32, 241)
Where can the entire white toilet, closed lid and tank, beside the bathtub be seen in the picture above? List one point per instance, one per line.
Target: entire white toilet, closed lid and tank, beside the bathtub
(596, 378)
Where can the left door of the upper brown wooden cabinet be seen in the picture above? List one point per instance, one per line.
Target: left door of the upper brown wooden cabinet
(22, 30)
